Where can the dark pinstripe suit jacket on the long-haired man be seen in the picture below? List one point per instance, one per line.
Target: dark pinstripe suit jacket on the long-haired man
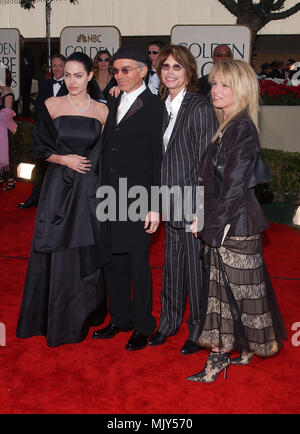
(193, 130)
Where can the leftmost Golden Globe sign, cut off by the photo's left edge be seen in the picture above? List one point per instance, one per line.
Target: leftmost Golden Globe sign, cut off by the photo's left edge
(10, 57)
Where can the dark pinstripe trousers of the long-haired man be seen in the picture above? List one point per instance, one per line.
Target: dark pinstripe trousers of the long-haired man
(182, 278)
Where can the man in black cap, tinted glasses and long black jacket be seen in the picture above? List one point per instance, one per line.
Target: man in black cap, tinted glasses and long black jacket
(132, 152)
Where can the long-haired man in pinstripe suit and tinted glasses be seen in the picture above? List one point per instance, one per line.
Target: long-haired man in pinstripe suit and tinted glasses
(191, 126)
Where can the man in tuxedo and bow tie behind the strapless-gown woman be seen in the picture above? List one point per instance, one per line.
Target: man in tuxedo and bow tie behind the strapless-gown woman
(53, 87)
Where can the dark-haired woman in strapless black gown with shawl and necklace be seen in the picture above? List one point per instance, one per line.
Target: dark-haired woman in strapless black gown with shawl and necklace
(64, 292)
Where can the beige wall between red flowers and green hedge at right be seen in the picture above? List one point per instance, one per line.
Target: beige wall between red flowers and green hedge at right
(280, 128)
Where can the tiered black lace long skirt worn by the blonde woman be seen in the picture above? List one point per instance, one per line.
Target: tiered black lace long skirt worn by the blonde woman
(239, 307)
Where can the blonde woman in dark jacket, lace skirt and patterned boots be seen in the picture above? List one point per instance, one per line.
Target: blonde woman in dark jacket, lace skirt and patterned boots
(239, 308)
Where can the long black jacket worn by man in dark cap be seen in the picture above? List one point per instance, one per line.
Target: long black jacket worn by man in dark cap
(133, 150)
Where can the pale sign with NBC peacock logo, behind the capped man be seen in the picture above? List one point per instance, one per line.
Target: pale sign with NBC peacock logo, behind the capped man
(89, 40)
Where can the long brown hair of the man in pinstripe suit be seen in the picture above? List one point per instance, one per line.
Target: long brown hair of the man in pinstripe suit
(184, 57)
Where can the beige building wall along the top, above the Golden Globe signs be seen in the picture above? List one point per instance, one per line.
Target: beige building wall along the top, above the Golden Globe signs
(132, 17)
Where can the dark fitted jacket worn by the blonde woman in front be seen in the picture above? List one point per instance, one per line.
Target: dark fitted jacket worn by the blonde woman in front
(236, 204)
